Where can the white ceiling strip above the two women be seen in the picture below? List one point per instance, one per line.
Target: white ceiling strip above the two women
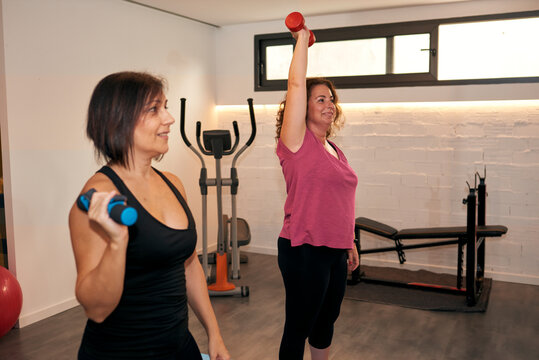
(229, 12)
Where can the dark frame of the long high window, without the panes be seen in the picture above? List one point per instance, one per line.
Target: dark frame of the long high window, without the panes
(388, 30)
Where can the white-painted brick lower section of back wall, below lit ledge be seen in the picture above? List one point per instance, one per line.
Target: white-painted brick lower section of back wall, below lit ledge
(413, 161)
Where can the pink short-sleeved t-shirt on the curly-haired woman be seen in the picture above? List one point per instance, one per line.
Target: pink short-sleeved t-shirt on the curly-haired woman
(320, 204)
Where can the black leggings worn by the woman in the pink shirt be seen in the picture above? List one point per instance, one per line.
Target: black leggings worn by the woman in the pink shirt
(314, 280)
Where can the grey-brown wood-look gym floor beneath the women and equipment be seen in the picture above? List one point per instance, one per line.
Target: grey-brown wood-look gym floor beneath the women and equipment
(252, 326)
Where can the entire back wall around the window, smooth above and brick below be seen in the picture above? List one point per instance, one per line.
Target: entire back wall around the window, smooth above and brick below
(413, 149)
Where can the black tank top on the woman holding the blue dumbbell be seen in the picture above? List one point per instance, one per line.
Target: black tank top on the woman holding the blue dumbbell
(150, 321)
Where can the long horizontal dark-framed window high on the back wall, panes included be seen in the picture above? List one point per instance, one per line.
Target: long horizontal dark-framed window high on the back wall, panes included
(481, 49)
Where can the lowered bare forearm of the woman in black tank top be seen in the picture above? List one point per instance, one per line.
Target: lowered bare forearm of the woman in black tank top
(199, 300)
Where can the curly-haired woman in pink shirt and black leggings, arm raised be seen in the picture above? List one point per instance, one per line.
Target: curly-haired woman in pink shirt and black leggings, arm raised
(316, 242)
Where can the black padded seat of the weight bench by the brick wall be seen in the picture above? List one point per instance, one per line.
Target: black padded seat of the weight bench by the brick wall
(390, 232)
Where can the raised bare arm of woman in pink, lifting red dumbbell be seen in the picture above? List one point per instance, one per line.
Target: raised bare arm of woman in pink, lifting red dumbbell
(293, 127)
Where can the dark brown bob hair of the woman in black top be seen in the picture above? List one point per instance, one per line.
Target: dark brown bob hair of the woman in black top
(115, 107)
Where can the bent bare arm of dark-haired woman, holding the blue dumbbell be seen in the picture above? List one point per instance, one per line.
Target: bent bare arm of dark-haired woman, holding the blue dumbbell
(99, 245)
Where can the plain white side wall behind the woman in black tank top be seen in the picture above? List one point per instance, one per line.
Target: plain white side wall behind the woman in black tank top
(55, 53)
